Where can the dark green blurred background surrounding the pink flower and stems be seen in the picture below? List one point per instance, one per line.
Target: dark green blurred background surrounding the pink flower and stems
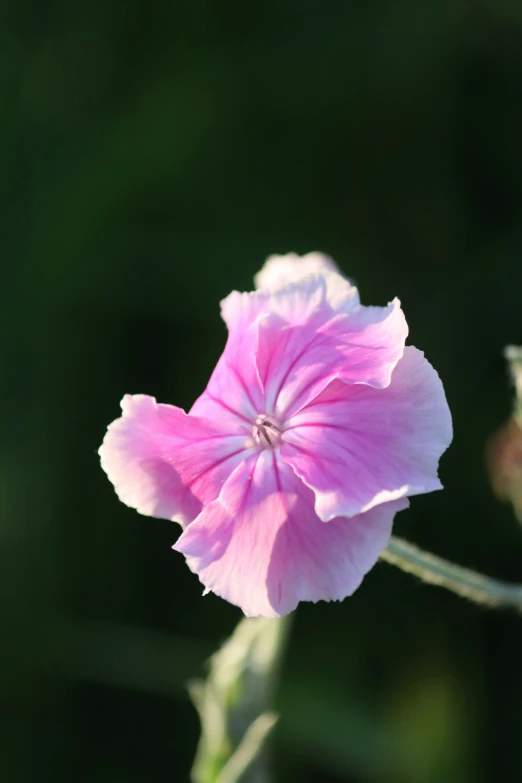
(152, 155)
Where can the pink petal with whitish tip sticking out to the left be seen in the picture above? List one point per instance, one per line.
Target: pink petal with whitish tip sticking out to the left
(166, 463)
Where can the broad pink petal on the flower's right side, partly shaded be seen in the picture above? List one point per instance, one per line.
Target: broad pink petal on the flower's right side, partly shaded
(357, 446)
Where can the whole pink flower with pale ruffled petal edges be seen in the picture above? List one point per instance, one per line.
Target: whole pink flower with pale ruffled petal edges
(315, 427)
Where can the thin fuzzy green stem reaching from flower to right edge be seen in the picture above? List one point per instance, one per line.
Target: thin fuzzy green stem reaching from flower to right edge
(463, 581)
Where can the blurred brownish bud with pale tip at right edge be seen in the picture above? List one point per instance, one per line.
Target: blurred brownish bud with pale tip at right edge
(504, 449)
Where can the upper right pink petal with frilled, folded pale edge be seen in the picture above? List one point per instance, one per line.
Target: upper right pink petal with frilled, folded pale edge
(296, 363)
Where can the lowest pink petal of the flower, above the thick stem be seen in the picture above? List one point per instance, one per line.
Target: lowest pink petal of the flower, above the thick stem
(261, 546)
